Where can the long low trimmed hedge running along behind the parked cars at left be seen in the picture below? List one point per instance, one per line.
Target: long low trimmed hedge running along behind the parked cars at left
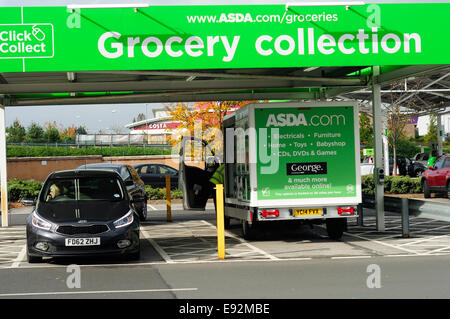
(40, 151)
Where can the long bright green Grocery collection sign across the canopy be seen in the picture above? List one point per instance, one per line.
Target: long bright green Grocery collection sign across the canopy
(210, 37)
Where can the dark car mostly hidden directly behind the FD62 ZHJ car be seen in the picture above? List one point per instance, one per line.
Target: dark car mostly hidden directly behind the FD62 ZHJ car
(134, 185)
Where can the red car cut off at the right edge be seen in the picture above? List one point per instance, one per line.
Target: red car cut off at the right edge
(436, 179)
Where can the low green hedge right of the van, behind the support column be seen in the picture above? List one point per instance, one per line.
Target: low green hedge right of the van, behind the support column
(392, 185)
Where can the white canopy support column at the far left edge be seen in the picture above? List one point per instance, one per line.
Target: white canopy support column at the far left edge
(3, 180)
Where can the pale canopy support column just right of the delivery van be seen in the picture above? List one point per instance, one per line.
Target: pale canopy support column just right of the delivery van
(378, 143)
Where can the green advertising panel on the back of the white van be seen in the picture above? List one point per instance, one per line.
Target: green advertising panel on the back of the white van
(315, 150)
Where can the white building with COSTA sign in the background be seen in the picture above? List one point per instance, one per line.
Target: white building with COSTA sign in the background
(157, 129)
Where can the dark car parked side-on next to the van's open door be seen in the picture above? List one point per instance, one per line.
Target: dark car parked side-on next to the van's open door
(154, 174)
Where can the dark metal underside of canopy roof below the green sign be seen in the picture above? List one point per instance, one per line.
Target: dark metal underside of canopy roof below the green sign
(429, 83)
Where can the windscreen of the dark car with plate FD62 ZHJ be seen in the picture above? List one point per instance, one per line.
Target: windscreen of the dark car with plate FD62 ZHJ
(82, 189)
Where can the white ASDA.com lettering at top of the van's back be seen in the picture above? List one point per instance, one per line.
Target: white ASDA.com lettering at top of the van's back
(291, 119)
